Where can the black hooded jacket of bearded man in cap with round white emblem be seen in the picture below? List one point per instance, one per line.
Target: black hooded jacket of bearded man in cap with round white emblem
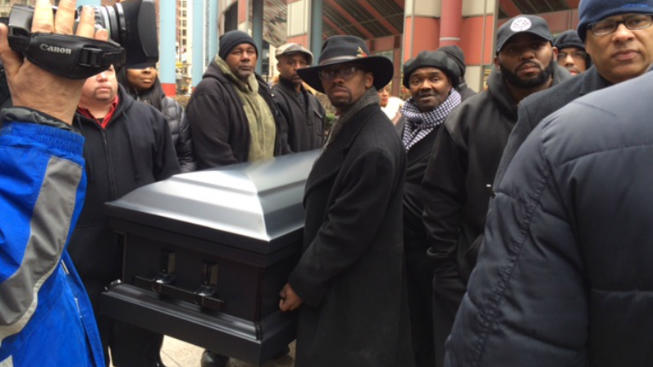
(458, 178)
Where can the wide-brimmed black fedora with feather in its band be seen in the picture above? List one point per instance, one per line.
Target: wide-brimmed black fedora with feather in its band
(345, 49)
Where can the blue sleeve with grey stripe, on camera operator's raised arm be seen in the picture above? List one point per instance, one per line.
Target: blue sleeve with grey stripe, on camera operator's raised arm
(42, 187)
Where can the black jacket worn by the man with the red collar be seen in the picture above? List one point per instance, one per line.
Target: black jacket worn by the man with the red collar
(134, 149)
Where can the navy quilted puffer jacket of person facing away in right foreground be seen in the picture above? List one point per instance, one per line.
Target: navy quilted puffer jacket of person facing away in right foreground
(564, 275)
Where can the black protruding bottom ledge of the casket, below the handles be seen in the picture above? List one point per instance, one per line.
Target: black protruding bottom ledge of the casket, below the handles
(252, 342)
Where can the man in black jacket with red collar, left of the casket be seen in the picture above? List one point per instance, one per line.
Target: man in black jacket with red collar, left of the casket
(128, 145)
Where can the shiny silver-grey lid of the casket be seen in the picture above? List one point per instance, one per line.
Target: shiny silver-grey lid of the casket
(261, 201)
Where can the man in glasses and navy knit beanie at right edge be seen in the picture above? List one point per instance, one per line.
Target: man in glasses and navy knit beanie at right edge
(619, 39)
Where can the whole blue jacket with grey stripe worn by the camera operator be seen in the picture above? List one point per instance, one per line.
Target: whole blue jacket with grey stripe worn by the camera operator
(46, 317)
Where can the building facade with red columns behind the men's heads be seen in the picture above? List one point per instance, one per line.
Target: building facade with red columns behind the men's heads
(397, 29)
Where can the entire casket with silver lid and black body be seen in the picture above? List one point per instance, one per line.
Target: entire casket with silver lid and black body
(206, 254)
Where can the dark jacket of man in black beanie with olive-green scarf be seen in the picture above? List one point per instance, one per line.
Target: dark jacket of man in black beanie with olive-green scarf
(219, 127)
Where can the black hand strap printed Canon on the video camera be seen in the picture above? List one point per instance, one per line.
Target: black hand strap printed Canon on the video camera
(69, 56)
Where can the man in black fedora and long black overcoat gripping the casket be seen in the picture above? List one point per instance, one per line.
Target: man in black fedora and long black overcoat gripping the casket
(349, 284)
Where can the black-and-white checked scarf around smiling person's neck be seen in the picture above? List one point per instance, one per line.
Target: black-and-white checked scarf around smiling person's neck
(419, 124)
